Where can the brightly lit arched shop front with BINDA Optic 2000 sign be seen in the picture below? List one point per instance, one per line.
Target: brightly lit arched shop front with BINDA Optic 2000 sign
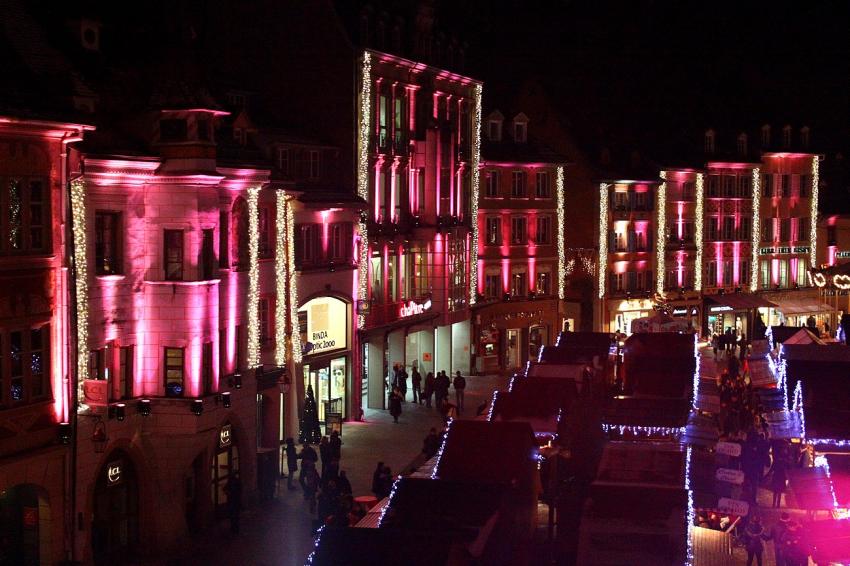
(325, 323)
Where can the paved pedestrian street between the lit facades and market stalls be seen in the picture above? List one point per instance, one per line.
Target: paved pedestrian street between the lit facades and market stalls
(279, 533)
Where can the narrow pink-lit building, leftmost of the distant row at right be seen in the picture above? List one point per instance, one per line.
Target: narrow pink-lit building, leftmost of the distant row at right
(628, 231)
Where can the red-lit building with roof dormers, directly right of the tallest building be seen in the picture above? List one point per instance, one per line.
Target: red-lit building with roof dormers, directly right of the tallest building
(521, 256)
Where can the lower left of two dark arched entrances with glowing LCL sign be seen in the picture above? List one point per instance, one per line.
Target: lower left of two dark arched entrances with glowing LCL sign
(115, 522)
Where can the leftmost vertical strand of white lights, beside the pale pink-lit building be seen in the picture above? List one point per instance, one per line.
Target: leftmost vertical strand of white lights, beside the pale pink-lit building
(78, 217)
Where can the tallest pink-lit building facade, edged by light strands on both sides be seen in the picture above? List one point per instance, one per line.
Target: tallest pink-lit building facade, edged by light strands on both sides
(418, 143)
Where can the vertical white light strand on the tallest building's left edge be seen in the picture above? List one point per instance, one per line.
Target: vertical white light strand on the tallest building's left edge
(363, 180)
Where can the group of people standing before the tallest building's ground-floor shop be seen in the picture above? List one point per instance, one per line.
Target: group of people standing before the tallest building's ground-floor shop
(433, 386)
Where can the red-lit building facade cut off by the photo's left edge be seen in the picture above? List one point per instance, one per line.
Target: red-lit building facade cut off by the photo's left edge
(35, 392)
